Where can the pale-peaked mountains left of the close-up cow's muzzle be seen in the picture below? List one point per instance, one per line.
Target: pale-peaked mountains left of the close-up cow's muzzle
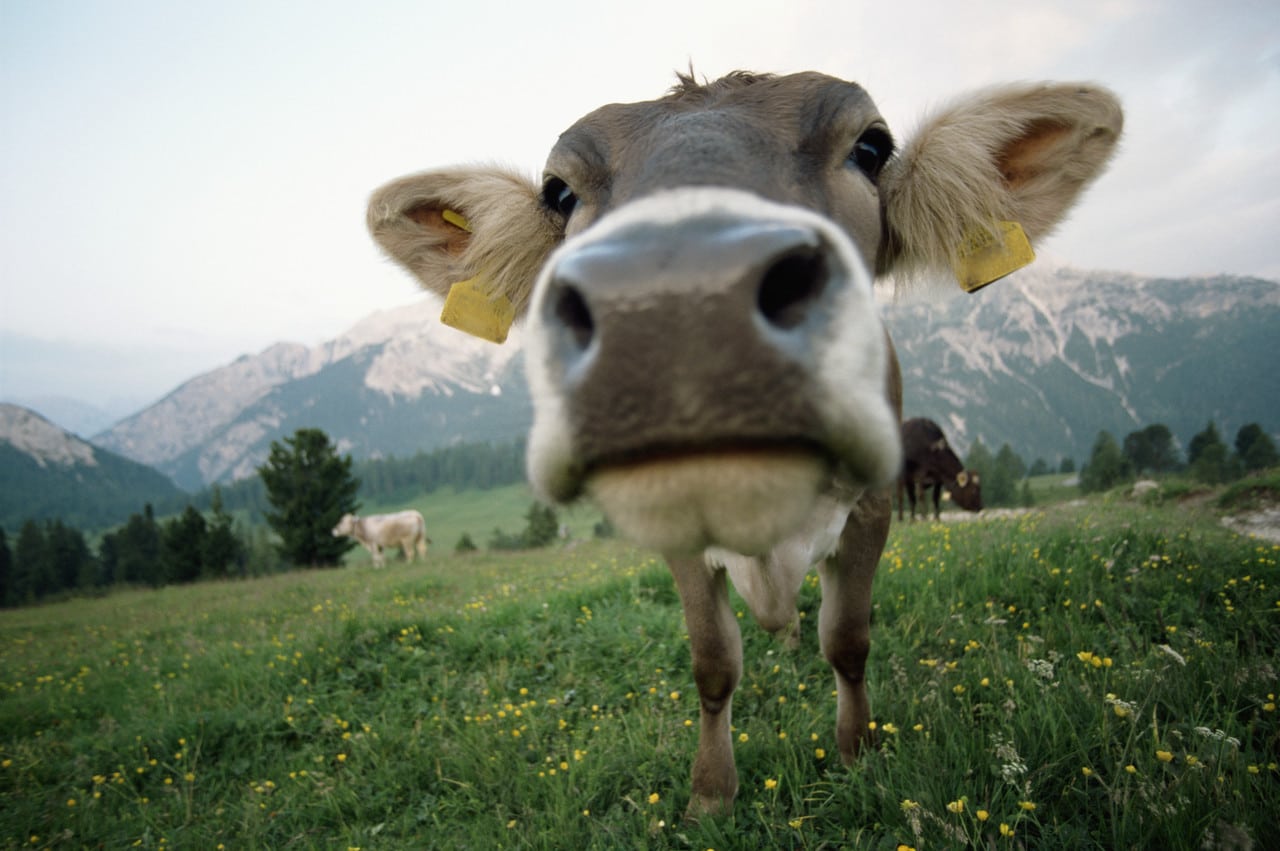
(396, 383)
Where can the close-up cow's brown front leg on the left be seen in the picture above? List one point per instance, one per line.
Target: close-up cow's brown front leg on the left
(716, 644)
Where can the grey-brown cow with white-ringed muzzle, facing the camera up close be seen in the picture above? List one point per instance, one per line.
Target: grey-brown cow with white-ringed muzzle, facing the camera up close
(702, 341)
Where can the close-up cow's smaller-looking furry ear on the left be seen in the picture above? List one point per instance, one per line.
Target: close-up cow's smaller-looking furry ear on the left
(483, 225)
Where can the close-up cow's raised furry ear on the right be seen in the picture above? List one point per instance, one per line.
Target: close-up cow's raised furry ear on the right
(1020, 154)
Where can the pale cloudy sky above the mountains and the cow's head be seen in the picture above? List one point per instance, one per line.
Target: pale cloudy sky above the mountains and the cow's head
(182, 184)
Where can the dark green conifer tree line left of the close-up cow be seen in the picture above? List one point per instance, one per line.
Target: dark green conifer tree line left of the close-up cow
(301, 492)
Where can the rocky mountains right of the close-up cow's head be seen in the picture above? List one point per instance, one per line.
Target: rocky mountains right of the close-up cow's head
(1052, 356)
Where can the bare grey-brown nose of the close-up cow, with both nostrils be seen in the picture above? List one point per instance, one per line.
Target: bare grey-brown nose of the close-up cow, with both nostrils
(698, 333)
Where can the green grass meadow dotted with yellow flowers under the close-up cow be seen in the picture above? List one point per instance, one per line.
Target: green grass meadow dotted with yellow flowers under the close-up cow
(1101, 676)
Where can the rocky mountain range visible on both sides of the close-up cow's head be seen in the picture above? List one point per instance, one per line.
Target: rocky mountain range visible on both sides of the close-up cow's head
(1044, 360)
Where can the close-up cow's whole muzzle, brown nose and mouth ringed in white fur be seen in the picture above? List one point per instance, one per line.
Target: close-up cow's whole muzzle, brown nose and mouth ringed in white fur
(676, 341)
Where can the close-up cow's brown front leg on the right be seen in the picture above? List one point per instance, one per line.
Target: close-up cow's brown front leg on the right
(844, 621)
